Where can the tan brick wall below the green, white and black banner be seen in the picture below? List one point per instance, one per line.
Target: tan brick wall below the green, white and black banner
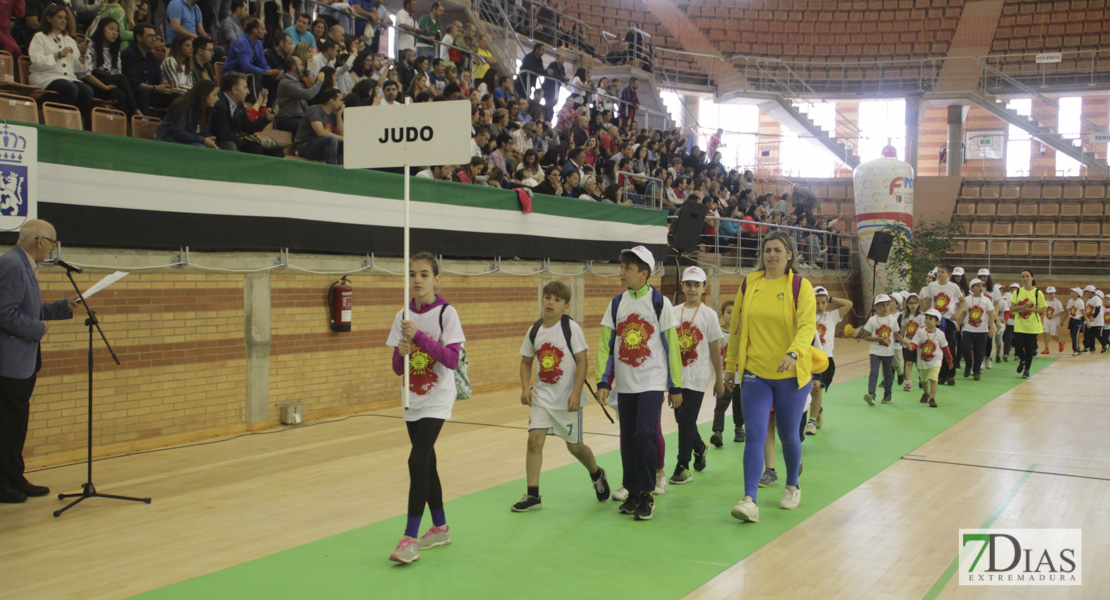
(181, 340)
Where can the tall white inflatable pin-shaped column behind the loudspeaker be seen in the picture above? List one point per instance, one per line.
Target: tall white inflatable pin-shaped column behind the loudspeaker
(884, 197)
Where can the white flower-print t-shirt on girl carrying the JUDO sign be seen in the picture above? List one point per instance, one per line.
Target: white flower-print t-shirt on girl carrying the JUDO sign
(431, 384)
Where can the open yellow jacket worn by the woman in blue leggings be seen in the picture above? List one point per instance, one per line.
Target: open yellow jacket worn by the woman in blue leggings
(801, 322)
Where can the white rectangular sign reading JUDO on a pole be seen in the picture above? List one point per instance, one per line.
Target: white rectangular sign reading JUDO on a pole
(429, 134)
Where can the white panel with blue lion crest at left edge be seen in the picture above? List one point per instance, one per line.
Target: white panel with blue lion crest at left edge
(19, 160)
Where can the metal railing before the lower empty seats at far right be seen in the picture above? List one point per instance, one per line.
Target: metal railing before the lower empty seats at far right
(1048, 256)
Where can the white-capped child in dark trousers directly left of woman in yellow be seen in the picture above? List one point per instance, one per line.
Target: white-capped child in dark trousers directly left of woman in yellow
(700, 338)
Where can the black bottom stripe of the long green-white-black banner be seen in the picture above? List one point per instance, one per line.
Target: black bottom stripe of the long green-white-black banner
(155, 230)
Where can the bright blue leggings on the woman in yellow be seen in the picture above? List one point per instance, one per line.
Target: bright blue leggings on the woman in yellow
(759, 398)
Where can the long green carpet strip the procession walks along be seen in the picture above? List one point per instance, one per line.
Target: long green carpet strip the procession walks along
(579, 548)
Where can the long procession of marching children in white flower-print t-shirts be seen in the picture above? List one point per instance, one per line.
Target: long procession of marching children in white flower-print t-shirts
(652, 353)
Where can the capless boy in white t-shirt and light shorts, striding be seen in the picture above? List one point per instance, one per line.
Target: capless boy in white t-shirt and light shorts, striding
(558, 348)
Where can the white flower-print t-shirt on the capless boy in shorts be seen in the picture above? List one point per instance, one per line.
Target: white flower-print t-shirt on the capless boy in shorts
(554, 365)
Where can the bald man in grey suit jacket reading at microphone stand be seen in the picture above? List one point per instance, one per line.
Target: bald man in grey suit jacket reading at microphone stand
(23, 327)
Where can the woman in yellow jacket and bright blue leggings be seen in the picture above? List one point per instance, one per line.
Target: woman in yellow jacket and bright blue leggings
(771, 342)
